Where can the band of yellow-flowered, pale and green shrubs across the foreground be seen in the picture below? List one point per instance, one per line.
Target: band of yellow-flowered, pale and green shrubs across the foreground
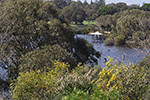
(116, 81)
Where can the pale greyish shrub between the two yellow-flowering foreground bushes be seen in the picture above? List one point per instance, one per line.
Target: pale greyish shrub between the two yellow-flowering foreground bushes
(81, 78)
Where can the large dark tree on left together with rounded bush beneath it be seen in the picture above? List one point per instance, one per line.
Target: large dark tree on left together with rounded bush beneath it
(33, 29)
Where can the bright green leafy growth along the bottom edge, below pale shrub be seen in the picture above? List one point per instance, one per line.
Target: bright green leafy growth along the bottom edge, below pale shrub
(95, 95)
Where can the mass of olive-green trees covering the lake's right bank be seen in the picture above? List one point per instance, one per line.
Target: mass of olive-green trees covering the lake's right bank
(128, 24)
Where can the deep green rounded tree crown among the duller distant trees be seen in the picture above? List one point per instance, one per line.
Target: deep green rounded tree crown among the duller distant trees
(104, 10)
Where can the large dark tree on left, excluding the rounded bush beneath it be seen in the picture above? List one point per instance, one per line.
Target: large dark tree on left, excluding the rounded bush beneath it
(28, 25)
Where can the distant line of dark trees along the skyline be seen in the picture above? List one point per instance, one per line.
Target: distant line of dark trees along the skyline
(77, 12)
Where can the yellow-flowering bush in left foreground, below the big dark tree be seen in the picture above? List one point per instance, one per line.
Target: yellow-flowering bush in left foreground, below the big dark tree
(36, 84)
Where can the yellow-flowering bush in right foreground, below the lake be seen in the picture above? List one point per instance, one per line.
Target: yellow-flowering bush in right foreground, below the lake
(132, 81)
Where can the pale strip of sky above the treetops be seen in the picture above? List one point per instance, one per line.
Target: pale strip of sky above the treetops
(128, 2)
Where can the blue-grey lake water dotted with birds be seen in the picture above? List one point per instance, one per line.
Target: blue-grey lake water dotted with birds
(129, 55)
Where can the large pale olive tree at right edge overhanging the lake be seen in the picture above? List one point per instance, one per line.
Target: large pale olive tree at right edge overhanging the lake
(137, 21)
